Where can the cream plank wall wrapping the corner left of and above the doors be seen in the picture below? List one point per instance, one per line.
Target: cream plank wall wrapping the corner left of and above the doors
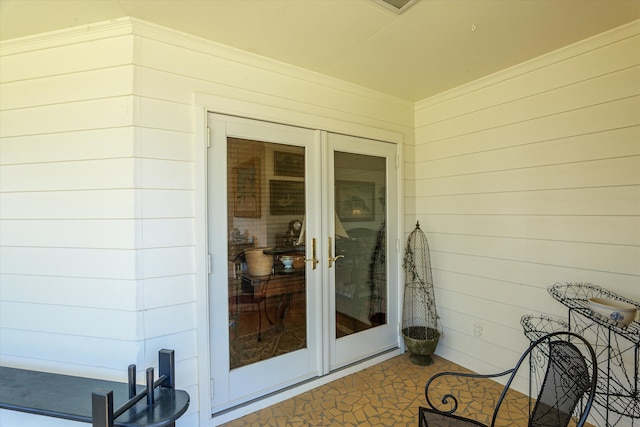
(98, 184)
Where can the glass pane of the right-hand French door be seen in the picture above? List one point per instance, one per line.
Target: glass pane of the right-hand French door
(360, 267)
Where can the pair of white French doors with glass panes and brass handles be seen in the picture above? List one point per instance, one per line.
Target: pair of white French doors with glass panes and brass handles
(299, 223)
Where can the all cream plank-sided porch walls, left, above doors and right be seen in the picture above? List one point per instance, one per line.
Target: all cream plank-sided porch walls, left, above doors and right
(523, 179)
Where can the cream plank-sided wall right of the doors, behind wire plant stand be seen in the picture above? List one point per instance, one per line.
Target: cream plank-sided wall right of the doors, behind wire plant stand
(527, 178)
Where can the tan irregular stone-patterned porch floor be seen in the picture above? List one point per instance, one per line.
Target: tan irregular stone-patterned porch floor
(386, 395)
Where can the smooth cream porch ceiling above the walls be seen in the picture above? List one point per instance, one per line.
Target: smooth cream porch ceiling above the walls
(435, 45)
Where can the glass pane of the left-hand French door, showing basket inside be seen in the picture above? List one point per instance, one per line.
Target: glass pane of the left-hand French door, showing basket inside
(266, 268)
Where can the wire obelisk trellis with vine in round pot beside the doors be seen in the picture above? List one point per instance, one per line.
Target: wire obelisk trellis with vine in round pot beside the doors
(420, 322)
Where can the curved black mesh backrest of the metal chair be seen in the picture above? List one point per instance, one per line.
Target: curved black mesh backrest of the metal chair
(569, 375)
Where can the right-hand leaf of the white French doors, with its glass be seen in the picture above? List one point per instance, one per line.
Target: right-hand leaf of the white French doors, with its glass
(362, 299)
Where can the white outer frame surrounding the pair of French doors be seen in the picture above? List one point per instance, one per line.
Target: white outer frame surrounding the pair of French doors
(288, 115)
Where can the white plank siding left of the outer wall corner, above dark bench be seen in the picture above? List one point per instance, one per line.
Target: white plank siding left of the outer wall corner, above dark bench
(69, 229)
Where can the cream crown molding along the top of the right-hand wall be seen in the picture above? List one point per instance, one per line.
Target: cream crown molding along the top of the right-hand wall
(614, 35)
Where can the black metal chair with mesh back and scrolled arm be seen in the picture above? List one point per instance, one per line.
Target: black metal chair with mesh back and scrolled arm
(569, 382)
